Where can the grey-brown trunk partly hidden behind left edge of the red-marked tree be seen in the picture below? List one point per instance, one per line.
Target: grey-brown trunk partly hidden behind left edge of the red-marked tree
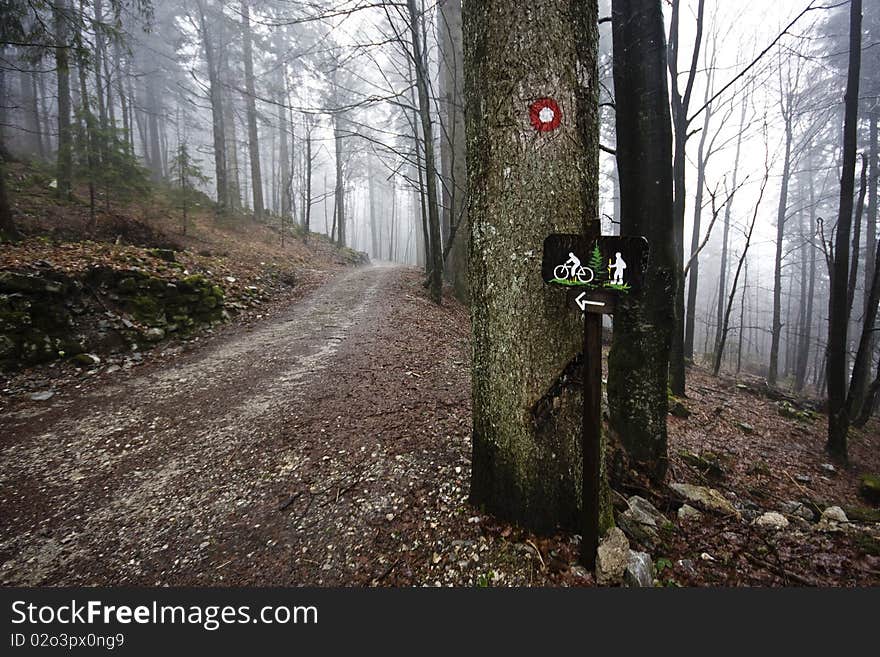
(453, 148)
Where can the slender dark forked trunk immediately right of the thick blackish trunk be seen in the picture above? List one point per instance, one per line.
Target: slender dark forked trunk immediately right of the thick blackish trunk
(680, 104)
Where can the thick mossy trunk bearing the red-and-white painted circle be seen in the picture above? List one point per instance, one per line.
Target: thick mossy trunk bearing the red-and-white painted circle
(524, 185)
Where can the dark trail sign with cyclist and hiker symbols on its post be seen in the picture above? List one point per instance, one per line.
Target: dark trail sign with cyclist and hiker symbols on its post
(596, 273)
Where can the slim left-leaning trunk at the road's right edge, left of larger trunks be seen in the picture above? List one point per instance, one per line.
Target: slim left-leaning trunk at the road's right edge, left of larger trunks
(424, 107)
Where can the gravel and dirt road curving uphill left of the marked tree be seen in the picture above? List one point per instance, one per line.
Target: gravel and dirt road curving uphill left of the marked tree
(320, 445)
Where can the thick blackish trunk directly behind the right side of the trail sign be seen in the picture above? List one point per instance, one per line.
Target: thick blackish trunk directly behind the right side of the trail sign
(639, 358)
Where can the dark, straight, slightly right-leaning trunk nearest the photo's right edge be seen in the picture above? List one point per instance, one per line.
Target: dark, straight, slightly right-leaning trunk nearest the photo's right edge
(838, 418)
